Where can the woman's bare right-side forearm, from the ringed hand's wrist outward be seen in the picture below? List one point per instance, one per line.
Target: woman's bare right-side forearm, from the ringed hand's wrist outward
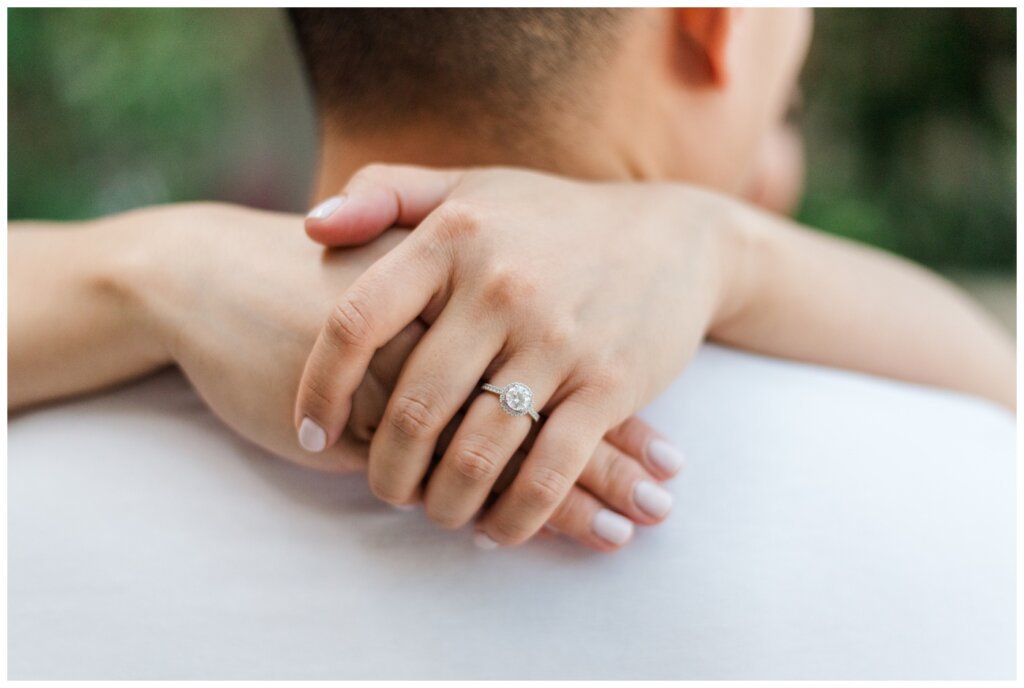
(812, 297)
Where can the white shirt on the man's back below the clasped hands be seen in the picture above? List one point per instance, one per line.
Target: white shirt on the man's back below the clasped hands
(828, 526)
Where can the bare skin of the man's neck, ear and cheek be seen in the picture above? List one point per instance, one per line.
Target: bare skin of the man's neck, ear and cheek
(691, 95)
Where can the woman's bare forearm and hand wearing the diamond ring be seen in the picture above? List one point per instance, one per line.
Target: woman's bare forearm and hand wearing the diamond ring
(601, 335)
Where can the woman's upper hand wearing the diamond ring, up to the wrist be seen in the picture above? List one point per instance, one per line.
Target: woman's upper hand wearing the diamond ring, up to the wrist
(594, 295)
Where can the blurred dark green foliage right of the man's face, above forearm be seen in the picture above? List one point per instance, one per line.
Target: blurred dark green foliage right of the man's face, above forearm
(911, 132)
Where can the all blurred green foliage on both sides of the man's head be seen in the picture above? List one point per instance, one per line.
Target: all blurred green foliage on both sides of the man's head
(910, 118)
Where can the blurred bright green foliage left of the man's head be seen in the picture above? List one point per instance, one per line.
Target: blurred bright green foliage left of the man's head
(114, 109)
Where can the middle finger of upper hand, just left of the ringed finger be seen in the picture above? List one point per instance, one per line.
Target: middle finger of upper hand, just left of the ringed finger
(440, 375)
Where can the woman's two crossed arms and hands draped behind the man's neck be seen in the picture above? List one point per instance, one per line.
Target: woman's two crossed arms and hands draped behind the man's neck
(240, 298)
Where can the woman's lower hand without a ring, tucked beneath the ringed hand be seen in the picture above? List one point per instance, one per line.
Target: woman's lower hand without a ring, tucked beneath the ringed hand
(236, 297)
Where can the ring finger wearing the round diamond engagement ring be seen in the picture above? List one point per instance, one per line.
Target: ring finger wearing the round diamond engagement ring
(483, 446)
